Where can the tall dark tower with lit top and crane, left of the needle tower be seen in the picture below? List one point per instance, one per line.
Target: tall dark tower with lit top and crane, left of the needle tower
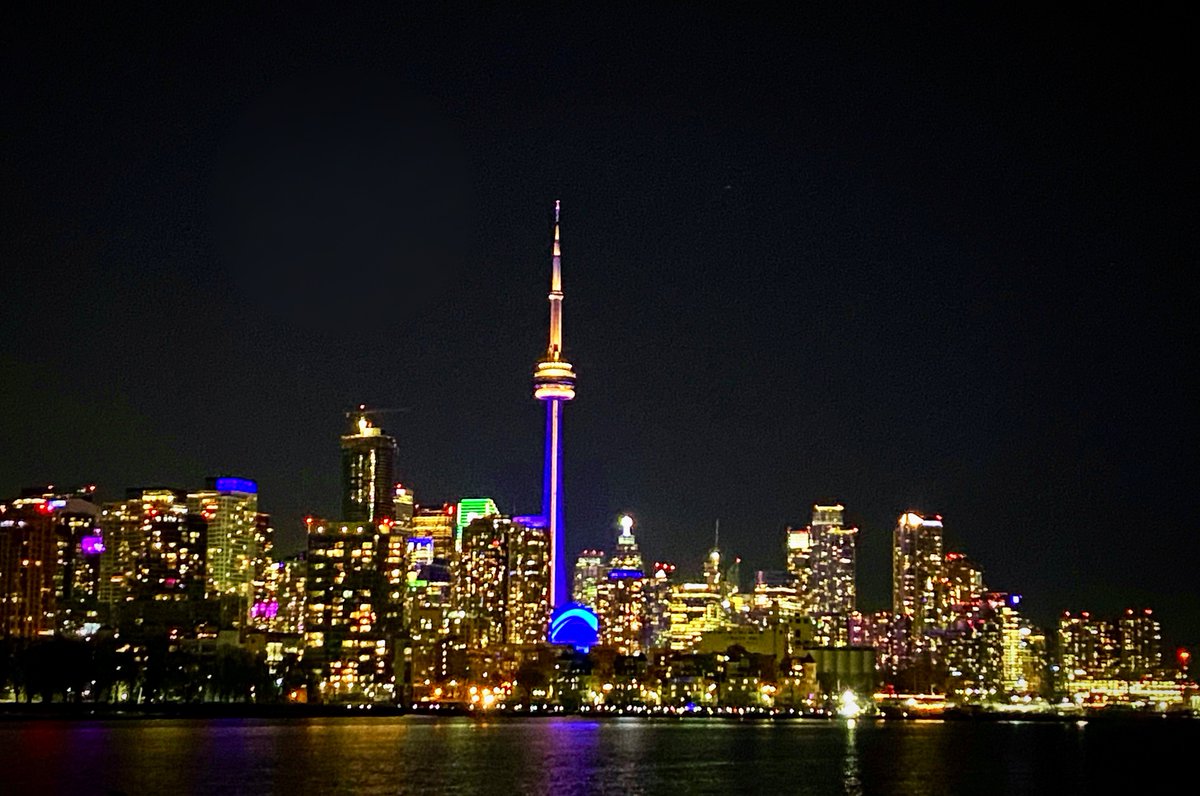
(369, 458)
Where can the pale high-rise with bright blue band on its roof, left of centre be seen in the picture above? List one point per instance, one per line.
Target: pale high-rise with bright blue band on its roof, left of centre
(230, 508)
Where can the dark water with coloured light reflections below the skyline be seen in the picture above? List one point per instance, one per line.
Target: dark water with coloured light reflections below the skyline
(577, 756)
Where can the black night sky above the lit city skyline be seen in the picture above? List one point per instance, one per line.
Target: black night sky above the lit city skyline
(935, 264)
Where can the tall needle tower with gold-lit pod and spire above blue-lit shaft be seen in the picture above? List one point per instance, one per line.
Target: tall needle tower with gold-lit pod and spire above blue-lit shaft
(554, 382)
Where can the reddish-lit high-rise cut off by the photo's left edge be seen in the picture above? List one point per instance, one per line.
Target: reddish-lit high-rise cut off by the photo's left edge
(27, 568)
